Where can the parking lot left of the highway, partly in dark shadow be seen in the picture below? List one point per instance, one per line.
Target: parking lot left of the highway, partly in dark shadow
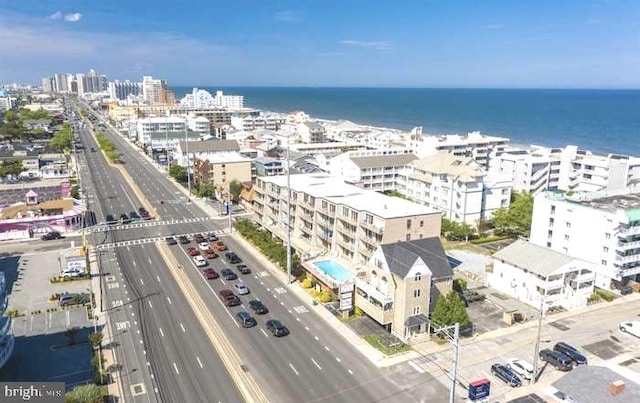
(45, 349)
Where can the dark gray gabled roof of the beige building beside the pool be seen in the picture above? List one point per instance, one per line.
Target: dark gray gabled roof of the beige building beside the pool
(401, 256)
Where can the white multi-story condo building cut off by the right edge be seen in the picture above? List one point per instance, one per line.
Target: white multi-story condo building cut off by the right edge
(596, 227)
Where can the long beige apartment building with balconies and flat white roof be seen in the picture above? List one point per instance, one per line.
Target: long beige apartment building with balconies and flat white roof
(329, 216)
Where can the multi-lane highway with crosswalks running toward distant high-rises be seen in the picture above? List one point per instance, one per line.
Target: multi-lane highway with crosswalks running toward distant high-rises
(313, 363)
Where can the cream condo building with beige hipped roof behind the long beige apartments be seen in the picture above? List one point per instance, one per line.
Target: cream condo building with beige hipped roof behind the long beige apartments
(457, 186)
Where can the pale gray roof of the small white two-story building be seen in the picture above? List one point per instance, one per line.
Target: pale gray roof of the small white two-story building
(534, 258)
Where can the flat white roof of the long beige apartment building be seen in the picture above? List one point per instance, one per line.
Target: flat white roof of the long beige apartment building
(336, 191)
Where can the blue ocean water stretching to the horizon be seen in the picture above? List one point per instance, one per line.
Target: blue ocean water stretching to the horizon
(602, 121)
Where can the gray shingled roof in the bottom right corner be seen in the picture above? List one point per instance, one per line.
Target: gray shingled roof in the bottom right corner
(590, 384)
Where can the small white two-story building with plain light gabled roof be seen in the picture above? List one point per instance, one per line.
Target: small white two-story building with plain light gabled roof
(537, 275)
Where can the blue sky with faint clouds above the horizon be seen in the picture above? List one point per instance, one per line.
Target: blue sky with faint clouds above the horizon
(419, 43)
